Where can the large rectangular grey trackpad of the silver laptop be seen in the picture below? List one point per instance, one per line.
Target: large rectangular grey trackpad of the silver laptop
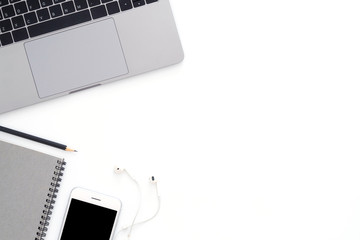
(76, 58)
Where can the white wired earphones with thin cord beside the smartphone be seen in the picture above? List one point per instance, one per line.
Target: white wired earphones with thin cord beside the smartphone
(118, 170)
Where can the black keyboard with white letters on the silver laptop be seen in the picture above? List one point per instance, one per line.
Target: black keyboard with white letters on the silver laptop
(23, 19)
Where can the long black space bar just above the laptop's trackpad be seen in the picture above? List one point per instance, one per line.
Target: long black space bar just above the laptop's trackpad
(59, 23)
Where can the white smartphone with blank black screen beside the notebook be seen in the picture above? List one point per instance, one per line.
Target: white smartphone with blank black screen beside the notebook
(90, 215)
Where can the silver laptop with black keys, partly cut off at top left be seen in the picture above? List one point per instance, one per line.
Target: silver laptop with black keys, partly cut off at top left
(51, 48)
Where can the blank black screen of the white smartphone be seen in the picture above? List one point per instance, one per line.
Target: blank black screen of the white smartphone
(88, 221)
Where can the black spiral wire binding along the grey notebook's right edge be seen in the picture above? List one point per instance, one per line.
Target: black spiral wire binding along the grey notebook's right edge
(50, 200)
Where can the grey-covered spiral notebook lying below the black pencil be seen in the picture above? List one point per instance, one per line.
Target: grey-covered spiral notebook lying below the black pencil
(29, 181)
